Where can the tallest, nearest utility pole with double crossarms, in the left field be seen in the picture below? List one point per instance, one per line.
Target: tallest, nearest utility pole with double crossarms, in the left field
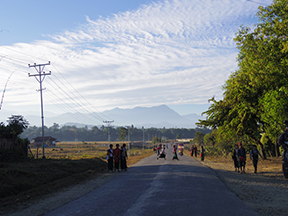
(40, 78)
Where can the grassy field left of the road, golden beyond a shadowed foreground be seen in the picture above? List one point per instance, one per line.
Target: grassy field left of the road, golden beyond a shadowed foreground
(67, 164)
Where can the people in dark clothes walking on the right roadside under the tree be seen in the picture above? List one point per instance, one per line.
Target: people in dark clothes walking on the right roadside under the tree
(239, 158)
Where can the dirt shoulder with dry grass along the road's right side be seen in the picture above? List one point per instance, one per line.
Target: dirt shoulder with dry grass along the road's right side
(266, 191)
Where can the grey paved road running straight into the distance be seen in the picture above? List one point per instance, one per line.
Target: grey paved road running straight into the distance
(160, 187)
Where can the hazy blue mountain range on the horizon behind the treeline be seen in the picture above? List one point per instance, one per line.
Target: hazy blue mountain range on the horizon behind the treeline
(157, 116)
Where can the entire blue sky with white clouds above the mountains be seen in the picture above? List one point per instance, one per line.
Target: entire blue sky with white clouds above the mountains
(125, 54)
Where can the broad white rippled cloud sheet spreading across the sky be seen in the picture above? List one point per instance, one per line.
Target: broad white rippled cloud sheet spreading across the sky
(168, 52)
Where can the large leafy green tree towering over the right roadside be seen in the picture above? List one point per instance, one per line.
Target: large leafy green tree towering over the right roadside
(250, 104)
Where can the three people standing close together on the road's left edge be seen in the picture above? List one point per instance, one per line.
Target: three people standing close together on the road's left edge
(116, 157)
